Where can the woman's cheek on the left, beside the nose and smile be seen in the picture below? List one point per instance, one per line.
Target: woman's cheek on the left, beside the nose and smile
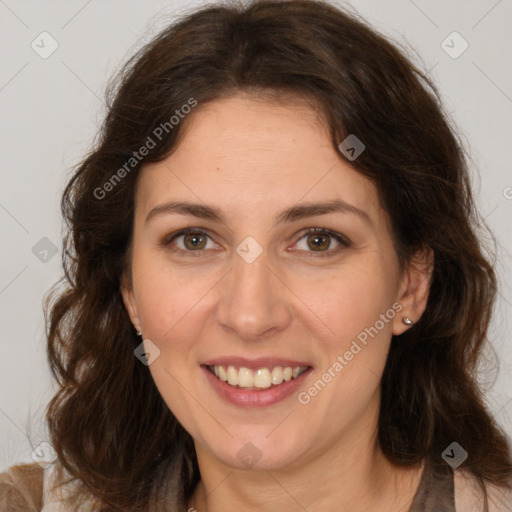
(174, 308)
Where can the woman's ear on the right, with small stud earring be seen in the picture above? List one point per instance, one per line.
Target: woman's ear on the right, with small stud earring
(414, 289)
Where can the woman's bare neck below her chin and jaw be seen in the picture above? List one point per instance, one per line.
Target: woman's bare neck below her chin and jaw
(353, 475)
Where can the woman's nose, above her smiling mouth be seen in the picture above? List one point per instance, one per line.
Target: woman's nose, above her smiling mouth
(254, 303)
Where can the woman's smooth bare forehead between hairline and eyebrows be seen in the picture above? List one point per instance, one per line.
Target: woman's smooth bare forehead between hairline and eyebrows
(255, 155)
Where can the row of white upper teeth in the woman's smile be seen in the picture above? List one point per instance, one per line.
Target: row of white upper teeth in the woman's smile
(261, 378)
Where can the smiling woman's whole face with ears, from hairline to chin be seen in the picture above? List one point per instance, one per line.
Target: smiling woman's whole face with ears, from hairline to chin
(288, 263)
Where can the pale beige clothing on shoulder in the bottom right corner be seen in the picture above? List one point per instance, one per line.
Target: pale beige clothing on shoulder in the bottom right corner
(469, 496)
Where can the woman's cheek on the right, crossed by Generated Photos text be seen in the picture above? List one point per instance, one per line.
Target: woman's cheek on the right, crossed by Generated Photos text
(355, 309)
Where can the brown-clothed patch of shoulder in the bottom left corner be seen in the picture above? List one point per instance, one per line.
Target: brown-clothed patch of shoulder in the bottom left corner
(21, 488)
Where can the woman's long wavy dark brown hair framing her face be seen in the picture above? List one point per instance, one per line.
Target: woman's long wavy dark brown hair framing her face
(109, 425)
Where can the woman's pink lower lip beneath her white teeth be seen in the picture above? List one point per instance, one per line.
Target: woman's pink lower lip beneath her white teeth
(252, 398)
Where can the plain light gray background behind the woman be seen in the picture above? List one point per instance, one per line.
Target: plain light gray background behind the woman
(51, 109)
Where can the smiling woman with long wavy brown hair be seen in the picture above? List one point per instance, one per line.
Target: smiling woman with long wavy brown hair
(262, 311)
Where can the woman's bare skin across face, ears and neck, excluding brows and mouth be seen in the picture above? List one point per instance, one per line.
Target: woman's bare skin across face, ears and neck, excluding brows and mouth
(253, 157)
